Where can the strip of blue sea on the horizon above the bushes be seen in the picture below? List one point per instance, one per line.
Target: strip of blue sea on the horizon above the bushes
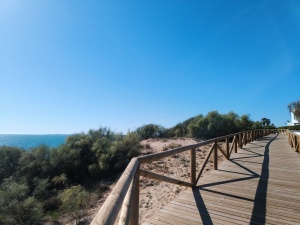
(28, 141)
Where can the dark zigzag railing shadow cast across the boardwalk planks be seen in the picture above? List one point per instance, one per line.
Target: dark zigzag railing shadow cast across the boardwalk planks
(258, 215)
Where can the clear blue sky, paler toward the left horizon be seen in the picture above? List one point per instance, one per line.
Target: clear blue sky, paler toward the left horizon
(68, 66)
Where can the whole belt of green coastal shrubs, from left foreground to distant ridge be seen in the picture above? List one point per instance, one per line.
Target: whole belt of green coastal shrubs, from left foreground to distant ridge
(42, 184)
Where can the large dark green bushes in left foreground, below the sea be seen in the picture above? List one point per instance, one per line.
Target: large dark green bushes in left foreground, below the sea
(41, 184)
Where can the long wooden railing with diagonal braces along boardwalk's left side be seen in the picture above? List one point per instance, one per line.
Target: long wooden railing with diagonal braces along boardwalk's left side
(124, 198)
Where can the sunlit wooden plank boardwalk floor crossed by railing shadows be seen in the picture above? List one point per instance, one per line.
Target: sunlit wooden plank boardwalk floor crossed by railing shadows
(258, 185)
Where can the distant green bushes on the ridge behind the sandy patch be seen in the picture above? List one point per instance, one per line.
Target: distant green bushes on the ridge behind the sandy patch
(212, 125)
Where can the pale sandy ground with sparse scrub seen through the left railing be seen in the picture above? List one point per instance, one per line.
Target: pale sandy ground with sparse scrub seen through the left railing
(155, 194)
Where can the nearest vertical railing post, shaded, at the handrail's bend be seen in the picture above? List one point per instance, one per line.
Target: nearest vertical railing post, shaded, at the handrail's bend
(134, 215)
